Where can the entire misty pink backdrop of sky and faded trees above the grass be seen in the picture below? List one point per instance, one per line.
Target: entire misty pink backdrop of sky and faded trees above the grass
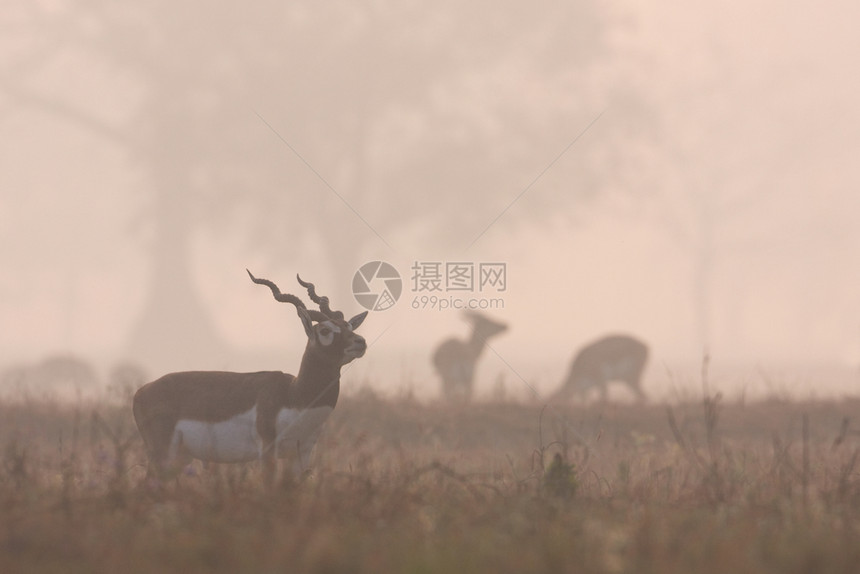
(685, 173)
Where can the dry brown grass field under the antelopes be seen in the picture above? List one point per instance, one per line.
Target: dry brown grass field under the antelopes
(402, 486)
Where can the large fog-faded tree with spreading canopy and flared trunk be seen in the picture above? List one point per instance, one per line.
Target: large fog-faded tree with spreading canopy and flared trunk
(290, 121)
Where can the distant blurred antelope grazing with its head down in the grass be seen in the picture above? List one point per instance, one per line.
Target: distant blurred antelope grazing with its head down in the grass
(614, 358)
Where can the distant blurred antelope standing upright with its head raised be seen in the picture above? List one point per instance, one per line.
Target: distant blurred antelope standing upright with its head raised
(455, 360)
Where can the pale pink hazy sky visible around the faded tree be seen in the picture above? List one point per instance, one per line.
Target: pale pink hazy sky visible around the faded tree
(760, 99)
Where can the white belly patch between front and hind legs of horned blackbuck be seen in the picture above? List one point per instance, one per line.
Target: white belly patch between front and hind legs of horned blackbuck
(232, 440)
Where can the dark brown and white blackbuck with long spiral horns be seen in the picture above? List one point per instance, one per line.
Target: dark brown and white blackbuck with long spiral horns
(237, 417)
